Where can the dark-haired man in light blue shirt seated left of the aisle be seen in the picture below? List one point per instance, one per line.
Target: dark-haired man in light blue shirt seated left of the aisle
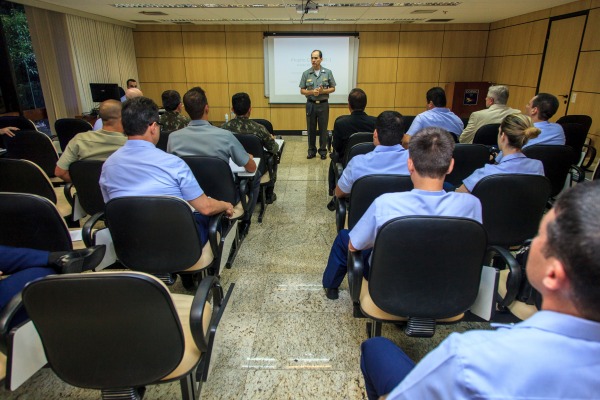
(140, 169)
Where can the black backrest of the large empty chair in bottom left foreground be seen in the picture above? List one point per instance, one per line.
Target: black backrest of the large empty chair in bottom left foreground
(106, 330)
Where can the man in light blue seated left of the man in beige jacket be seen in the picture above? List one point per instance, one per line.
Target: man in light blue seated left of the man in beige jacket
(436, 115)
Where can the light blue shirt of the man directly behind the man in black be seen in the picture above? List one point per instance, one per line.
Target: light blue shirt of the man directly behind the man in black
(388, 160)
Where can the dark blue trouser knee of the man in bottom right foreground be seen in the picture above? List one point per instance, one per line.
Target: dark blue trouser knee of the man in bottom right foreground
(384, 365)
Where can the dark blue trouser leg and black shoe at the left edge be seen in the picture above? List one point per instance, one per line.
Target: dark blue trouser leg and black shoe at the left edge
(23, 265)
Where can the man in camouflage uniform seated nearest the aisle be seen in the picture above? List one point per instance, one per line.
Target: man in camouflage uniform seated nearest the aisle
(242, 123)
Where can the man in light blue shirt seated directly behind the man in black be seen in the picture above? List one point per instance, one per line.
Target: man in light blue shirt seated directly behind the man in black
(389, 157)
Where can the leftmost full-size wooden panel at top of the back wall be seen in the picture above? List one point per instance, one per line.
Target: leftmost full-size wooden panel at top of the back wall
(158, 44)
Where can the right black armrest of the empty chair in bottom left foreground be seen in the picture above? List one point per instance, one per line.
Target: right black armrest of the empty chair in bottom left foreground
(209, 286)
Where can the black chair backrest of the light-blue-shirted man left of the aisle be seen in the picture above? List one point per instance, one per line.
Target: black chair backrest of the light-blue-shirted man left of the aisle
(154, 234)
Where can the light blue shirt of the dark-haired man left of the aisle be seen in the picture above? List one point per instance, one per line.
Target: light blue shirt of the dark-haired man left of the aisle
(140, 169)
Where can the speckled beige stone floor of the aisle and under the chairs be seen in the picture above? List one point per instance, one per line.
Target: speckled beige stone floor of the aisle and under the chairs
(280, 337)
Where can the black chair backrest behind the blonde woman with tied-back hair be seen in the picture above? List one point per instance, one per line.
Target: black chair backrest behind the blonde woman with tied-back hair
(512, 206)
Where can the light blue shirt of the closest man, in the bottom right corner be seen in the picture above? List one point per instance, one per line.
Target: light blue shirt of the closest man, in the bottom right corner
(548, 356)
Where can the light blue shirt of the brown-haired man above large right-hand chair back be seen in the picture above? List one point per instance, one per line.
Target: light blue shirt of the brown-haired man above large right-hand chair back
(415, 202)
